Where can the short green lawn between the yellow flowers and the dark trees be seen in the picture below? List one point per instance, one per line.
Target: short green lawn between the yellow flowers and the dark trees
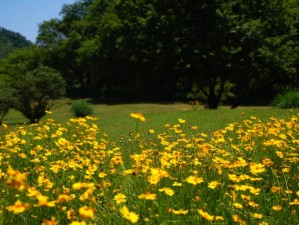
(115, 120)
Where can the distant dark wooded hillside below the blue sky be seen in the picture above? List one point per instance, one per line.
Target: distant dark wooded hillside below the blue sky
(10, 40)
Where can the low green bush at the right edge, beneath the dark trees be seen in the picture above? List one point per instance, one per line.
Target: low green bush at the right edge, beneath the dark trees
(288, 99)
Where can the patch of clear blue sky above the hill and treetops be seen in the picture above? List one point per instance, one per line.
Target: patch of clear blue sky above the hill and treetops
(23, 16)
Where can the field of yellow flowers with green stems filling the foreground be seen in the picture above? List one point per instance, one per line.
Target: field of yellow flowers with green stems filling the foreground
(72, 173)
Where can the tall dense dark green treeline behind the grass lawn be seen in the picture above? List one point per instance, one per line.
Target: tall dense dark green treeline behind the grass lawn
(234, 51)
